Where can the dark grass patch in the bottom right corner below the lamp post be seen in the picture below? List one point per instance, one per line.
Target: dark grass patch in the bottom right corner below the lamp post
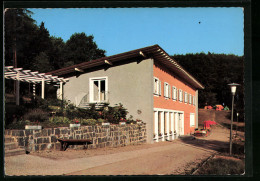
(222, 166)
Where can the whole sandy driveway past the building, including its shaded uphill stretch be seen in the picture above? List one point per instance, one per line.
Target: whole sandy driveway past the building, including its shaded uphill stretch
(164, 158)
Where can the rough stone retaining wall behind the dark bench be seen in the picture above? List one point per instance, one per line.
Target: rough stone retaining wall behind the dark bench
(101, 136)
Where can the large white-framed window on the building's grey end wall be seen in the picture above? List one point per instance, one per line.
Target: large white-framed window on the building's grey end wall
(98, 90)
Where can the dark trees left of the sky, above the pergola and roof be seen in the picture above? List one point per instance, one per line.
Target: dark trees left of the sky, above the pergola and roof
(37, 50)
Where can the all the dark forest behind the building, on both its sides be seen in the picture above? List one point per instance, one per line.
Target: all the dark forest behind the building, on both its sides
(30, 46)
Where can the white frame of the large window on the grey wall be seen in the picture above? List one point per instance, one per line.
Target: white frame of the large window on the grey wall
(91, 92)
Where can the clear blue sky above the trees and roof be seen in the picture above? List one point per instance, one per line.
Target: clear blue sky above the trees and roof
(176, 30)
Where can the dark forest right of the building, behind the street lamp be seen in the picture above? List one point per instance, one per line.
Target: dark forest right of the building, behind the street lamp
(215, 71)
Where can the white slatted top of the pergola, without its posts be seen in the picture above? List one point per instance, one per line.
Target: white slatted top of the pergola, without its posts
(29, 76)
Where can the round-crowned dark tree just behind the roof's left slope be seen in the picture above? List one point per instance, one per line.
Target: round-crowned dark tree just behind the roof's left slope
(81, 48)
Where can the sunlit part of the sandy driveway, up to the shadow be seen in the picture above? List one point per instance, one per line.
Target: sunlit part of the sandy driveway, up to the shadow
(171, 158)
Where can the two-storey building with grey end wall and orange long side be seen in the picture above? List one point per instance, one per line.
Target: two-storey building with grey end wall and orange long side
(147, 81)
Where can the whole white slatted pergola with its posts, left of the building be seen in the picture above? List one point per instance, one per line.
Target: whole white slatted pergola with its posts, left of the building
(18, 74)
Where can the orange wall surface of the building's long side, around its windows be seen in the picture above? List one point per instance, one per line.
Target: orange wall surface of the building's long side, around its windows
(165, 75)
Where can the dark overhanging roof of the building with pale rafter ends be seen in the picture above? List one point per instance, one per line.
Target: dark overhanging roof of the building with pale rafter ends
(154, 51)
